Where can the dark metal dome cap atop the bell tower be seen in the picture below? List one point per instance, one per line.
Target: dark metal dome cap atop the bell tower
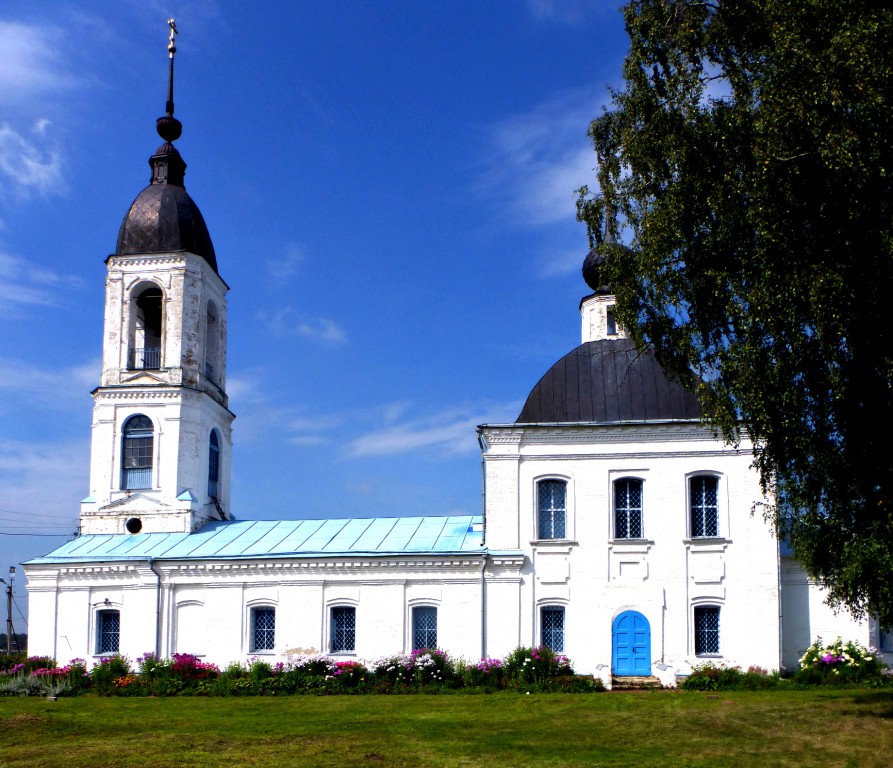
(163, 218)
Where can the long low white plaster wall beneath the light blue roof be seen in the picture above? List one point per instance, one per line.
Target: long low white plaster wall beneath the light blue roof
(216, 598)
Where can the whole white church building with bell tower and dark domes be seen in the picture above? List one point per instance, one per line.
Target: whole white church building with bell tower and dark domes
(616, 527)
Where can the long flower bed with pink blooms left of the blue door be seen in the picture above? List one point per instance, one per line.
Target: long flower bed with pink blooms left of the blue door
(427, 670)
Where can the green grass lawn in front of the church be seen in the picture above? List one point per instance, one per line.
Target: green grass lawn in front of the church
(661, 728)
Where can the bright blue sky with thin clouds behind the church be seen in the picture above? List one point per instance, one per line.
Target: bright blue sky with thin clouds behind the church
(390, 192)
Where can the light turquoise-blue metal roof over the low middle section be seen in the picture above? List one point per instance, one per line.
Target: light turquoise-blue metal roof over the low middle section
(242, 539)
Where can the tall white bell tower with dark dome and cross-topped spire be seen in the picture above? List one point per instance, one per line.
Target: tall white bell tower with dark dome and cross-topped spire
(162, 430)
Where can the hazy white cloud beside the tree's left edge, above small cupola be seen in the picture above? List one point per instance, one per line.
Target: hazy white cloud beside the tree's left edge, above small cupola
(536, 161)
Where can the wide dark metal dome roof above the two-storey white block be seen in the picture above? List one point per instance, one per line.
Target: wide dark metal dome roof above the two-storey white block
(608, 381)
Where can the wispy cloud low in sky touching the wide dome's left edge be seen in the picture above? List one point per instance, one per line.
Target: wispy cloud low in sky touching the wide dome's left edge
(447, 432)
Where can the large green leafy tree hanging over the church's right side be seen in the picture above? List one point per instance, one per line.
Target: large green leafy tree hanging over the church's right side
(746, 166)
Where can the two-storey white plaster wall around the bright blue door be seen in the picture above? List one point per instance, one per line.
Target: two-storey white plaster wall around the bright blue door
(664, 576)
